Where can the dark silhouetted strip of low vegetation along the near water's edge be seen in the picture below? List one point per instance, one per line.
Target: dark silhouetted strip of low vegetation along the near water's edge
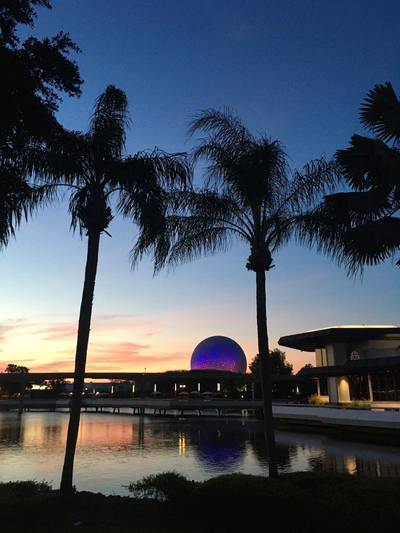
(169, 502)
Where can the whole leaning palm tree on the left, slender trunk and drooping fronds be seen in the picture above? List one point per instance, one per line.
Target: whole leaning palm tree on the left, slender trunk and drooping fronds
(94, 168)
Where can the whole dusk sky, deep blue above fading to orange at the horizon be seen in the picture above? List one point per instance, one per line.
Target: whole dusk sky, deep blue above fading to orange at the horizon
(295, 70)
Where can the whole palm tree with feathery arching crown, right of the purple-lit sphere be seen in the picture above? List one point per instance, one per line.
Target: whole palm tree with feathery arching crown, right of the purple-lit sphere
(248, 196)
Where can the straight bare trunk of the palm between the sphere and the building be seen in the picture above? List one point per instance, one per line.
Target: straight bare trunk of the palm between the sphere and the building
(265, 371)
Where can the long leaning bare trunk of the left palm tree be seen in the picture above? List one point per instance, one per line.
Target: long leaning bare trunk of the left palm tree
(85, 316)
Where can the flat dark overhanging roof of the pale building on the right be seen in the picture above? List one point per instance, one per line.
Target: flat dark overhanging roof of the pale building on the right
(319, 338)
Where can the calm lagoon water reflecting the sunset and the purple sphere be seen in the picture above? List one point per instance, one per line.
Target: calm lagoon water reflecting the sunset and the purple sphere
(116, 449)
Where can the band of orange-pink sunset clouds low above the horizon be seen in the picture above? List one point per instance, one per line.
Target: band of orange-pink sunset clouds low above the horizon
(118, 342)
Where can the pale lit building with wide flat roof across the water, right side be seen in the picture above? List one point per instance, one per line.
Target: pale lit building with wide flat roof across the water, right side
(359, 362)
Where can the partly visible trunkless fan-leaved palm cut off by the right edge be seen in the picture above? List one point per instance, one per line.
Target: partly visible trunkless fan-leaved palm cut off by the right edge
(362, 226)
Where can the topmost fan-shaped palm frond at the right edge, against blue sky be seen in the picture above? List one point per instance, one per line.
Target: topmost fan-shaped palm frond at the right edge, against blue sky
(380, 112)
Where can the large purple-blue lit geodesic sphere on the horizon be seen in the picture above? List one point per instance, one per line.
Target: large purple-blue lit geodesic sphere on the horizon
(219, 353)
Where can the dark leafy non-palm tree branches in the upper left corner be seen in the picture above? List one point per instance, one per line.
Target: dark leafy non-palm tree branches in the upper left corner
(34, 75)
